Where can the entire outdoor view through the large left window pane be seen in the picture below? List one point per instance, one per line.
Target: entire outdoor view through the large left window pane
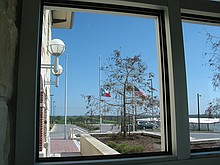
(100, 84)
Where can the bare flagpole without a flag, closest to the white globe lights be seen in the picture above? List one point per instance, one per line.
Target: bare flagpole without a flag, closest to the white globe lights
(65, 99)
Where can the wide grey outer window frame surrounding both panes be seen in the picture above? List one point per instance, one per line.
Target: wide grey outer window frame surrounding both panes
(27, 98)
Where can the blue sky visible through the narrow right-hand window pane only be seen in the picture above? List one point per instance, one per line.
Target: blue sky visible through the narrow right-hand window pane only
(198, 74)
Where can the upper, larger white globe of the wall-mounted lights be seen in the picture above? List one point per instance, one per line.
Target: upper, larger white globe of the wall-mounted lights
(56, 47)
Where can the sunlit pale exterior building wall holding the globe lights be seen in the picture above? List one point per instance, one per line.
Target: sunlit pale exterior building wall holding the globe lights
(45, 89)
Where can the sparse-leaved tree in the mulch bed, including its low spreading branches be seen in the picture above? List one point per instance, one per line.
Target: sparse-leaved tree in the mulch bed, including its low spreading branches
(124, 76)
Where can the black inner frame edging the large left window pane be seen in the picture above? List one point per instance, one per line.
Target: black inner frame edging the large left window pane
(164, 74)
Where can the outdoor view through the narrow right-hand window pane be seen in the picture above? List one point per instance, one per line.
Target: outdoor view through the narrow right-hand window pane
(203, 70)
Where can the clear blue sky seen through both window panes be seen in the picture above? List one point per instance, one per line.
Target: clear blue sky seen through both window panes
(93, 35)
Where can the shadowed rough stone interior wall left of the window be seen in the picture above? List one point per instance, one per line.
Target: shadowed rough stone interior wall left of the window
(8, 43)
